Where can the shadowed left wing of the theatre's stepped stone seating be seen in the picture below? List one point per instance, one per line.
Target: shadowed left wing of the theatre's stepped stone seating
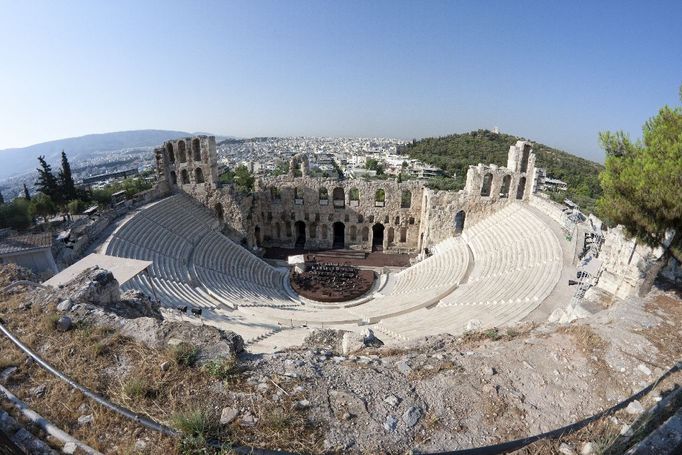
(192, 262)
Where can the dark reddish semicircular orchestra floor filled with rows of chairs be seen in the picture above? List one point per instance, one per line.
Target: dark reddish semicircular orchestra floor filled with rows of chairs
(329, 282)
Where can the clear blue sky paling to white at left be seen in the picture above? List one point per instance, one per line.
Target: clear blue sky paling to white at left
(557, 73)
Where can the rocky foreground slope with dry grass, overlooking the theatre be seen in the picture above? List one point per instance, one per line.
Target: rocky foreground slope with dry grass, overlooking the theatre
(339, 392)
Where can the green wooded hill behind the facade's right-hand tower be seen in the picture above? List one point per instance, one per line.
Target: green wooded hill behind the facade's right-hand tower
(454, 153)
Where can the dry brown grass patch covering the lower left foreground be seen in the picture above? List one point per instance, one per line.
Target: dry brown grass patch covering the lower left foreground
(181, 394)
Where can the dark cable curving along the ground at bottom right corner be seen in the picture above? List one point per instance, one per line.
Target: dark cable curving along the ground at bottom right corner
(517, 444)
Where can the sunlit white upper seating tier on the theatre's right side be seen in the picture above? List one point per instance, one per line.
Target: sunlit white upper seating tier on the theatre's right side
(517, 264)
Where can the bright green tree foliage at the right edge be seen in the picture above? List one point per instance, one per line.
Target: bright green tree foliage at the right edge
(642, 182)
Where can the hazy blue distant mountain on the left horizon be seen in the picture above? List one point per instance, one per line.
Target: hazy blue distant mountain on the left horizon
(21, 160)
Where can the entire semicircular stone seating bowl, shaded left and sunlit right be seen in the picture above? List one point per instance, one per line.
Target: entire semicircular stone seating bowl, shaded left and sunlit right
(496, 272)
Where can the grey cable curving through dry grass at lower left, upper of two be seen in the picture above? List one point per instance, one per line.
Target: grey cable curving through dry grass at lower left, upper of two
(144, 421)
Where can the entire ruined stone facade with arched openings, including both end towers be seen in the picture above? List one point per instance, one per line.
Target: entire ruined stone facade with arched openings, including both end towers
(300, 211)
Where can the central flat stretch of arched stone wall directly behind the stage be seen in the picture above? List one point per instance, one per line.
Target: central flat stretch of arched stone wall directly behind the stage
(356, 210)
